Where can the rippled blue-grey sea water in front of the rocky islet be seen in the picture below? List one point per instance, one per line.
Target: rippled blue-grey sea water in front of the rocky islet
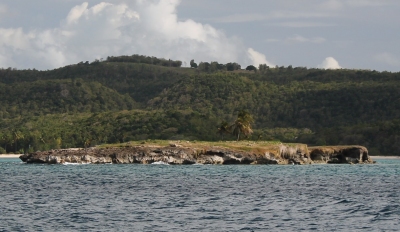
(199, 198)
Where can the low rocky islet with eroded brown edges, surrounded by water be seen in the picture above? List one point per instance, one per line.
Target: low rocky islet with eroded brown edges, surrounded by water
(178, 154)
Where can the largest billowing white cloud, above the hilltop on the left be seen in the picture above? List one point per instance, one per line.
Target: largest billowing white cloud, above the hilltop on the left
(142, 27)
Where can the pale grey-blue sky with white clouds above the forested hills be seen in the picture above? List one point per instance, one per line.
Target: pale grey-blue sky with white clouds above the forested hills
(329, 34)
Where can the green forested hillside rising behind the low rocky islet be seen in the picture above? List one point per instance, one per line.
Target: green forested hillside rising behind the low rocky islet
(139, 98)
